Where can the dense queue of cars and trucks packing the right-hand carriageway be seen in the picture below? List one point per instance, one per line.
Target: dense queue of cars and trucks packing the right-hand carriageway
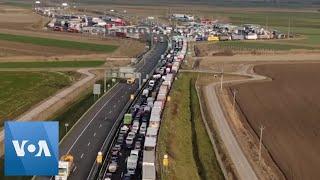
(132, 154)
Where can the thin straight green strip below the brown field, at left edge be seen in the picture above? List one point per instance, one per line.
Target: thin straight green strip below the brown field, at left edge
(51, 64)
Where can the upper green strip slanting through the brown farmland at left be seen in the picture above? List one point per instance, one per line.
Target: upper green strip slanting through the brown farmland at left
(58, 43)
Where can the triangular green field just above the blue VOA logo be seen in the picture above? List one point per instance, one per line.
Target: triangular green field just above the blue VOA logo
(19, 91)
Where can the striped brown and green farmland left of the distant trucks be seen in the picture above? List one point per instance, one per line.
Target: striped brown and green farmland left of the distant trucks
(25, 36)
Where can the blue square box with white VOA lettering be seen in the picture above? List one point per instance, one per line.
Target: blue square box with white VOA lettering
(31, 148)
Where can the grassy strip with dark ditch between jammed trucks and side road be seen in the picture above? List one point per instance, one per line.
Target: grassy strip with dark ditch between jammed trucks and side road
(183, 136)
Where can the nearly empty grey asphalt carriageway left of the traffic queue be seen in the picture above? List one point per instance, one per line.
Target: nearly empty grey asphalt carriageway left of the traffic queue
(86, 138)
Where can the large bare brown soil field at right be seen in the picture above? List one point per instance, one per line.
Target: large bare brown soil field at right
(288, 108)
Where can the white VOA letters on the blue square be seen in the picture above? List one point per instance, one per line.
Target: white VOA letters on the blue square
(42, 144)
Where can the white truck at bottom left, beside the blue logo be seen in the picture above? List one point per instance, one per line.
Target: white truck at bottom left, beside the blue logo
(65, 167)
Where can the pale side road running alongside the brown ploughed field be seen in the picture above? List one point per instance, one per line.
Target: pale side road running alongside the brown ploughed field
(242, 165)
